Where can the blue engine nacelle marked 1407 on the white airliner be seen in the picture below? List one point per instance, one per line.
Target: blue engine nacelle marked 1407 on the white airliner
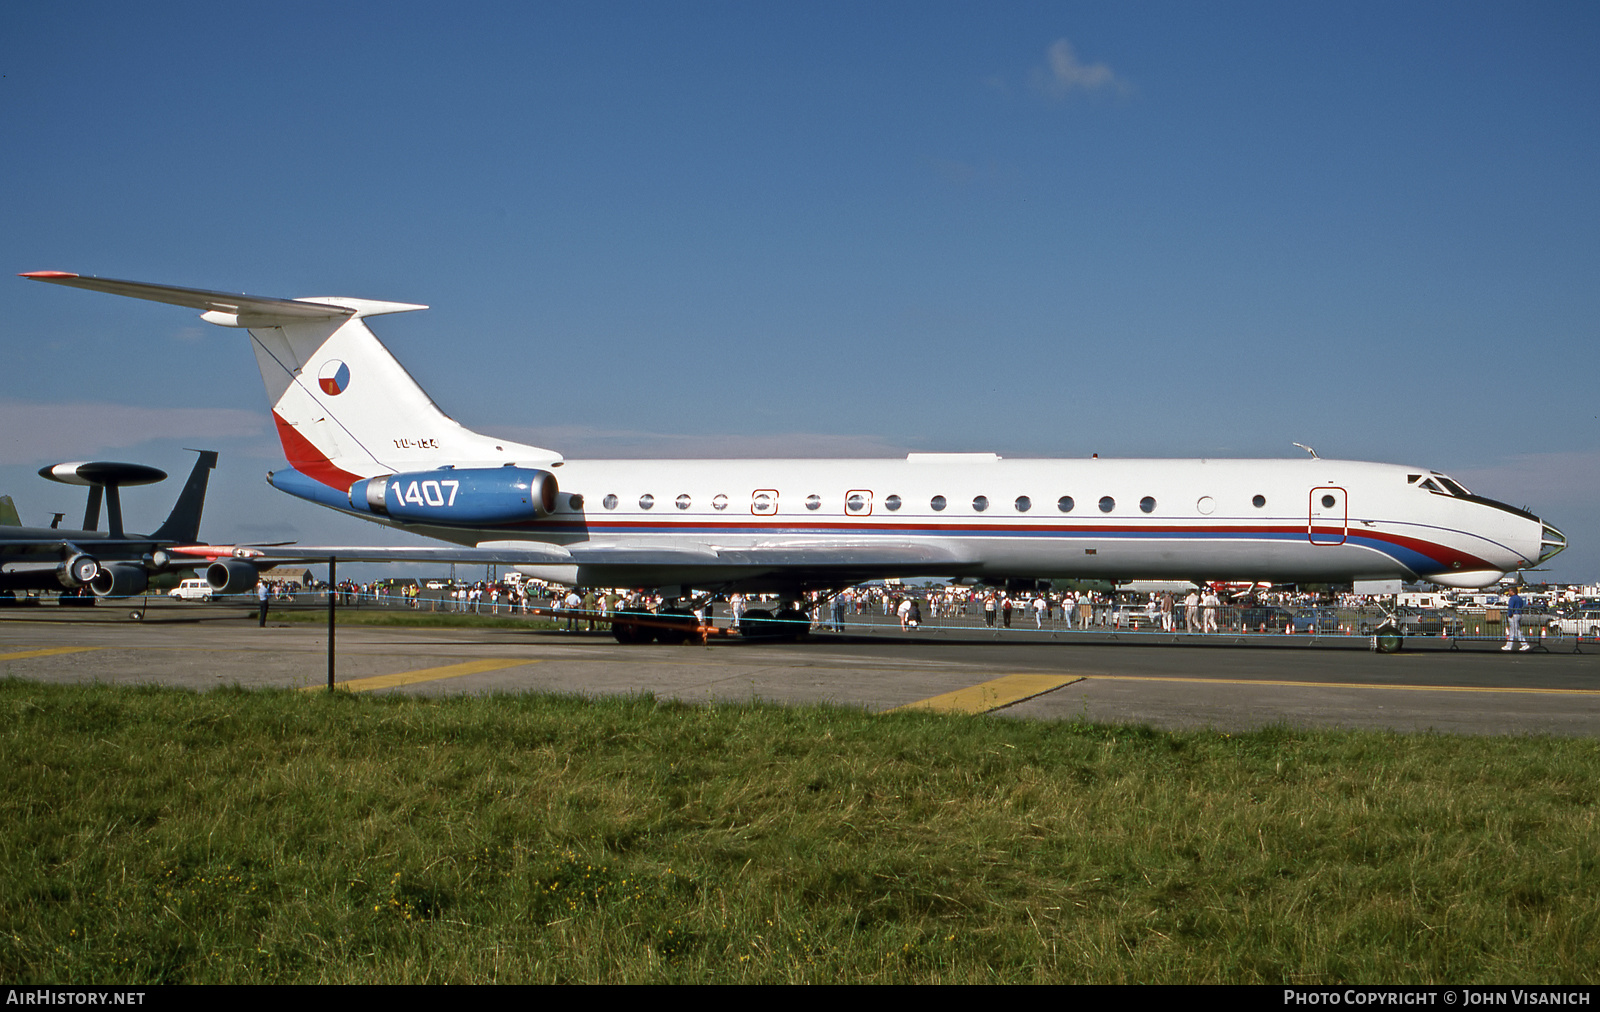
(468, 497)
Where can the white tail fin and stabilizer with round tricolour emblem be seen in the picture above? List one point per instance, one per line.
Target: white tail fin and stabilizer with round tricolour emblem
(343, 406)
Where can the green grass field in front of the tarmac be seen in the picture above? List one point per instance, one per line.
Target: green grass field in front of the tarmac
(273, 837)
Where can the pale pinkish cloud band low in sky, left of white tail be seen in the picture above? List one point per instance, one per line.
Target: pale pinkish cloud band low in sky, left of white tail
(42, 433)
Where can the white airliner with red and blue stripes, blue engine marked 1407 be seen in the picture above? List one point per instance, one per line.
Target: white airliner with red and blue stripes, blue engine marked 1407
(362, 438)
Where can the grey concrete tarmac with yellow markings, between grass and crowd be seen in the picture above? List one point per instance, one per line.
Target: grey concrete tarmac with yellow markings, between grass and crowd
(1178, 683)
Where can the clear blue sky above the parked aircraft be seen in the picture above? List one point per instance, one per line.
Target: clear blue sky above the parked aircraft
(1044, 230)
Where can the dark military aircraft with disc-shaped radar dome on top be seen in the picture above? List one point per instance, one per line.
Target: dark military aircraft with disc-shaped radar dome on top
(111, 563)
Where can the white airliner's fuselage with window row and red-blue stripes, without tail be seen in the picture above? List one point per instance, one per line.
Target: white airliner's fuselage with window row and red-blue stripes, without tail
(1215, 520)
